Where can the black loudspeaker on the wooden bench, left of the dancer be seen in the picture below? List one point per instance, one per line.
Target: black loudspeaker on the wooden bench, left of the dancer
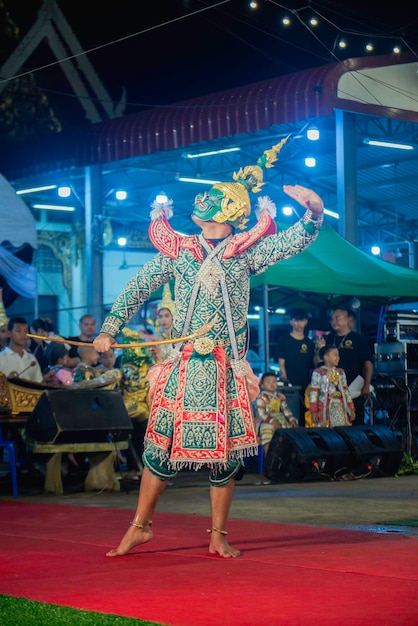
(79, 416)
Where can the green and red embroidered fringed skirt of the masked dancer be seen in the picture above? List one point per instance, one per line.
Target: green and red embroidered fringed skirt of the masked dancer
(201, 411)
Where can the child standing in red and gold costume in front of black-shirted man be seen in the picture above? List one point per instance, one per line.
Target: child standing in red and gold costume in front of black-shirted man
(330, 401)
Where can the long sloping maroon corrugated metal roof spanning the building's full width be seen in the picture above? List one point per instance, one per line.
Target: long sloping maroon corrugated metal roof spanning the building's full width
(304, 95)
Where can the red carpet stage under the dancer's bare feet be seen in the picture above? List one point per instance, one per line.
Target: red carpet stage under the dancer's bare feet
(287, 576)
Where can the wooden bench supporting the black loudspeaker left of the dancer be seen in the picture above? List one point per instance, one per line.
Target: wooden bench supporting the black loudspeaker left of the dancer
(101, 475)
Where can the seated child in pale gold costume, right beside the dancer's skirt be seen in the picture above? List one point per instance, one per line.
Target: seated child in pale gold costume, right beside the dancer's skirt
(272, 410)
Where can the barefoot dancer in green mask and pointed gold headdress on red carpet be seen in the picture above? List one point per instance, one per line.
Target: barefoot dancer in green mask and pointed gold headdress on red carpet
(202, 393)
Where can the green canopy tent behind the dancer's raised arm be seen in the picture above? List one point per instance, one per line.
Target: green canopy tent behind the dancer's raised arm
(330, 273)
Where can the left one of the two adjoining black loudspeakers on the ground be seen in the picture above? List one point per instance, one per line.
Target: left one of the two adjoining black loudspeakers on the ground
(297, 454)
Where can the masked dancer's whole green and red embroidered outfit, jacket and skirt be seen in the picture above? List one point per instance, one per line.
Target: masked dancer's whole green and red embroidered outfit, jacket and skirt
(201, 407)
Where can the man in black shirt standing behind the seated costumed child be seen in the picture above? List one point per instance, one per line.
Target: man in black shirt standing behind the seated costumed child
(296, 356)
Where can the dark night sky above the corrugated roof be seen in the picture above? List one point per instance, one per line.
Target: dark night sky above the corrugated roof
(165, 51)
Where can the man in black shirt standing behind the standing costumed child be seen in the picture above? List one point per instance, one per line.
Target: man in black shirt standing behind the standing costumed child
(356, 357)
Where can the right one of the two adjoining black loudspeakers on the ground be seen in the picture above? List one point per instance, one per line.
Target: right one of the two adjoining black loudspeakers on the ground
(372, 448)
